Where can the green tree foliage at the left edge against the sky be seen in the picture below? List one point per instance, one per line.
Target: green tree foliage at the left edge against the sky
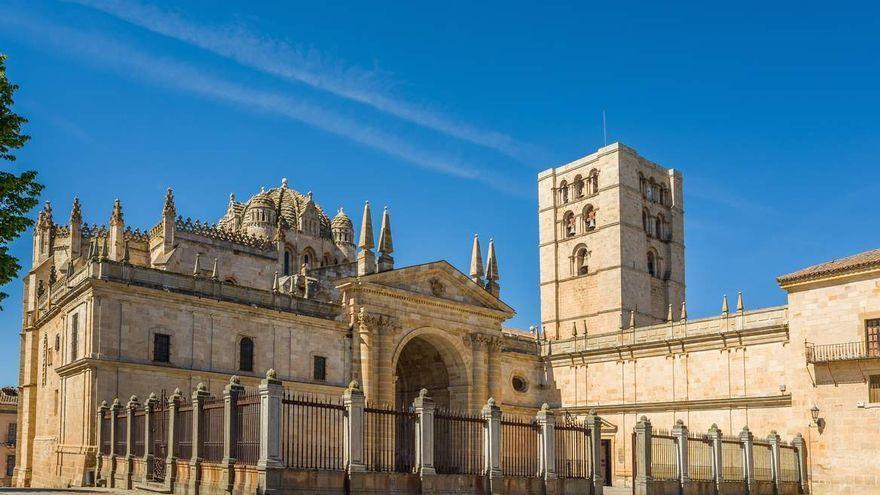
(18, 193)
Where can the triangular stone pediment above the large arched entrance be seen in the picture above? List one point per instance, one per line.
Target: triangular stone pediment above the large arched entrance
(437, 280)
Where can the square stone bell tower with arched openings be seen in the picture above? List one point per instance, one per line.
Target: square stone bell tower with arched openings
(611, 231)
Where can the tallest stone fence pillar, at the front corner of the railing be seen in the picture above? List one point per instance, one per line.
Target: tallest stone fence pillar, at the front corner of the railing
(269, 466)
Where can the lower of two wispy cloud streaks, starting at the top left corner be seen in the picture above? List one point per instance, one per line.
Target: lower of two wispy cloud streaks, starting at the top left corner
(175, 74)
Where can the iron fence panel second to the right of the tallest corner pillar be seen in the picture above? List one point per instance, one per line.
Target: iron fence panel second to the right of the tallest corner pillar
(389, 439)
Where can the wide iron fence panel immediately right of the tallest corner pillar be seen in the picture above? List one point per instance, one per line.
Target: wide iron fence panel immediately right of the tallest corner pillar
(312, 432)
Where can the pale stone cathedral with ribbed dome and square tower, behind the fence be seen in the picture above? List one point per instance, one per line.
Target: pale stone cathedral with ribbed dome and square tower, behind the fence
(276, 283)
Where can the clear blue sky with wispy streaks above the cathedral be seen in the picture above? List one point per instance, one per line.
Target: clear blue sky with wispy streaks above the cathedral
(446, 112)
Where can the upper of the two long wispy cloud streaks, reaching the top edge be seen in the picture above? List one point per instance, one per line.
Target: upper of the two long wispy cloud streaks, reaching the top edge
(307, 66)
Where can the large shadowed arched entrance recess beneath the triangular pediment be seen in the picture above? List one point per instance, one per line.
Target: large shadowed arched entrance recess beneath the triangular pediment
(431, 363)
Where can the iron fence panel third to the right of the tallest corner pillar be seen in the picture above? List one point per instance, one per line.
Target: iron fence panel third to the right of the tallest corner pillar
(458, 442)
